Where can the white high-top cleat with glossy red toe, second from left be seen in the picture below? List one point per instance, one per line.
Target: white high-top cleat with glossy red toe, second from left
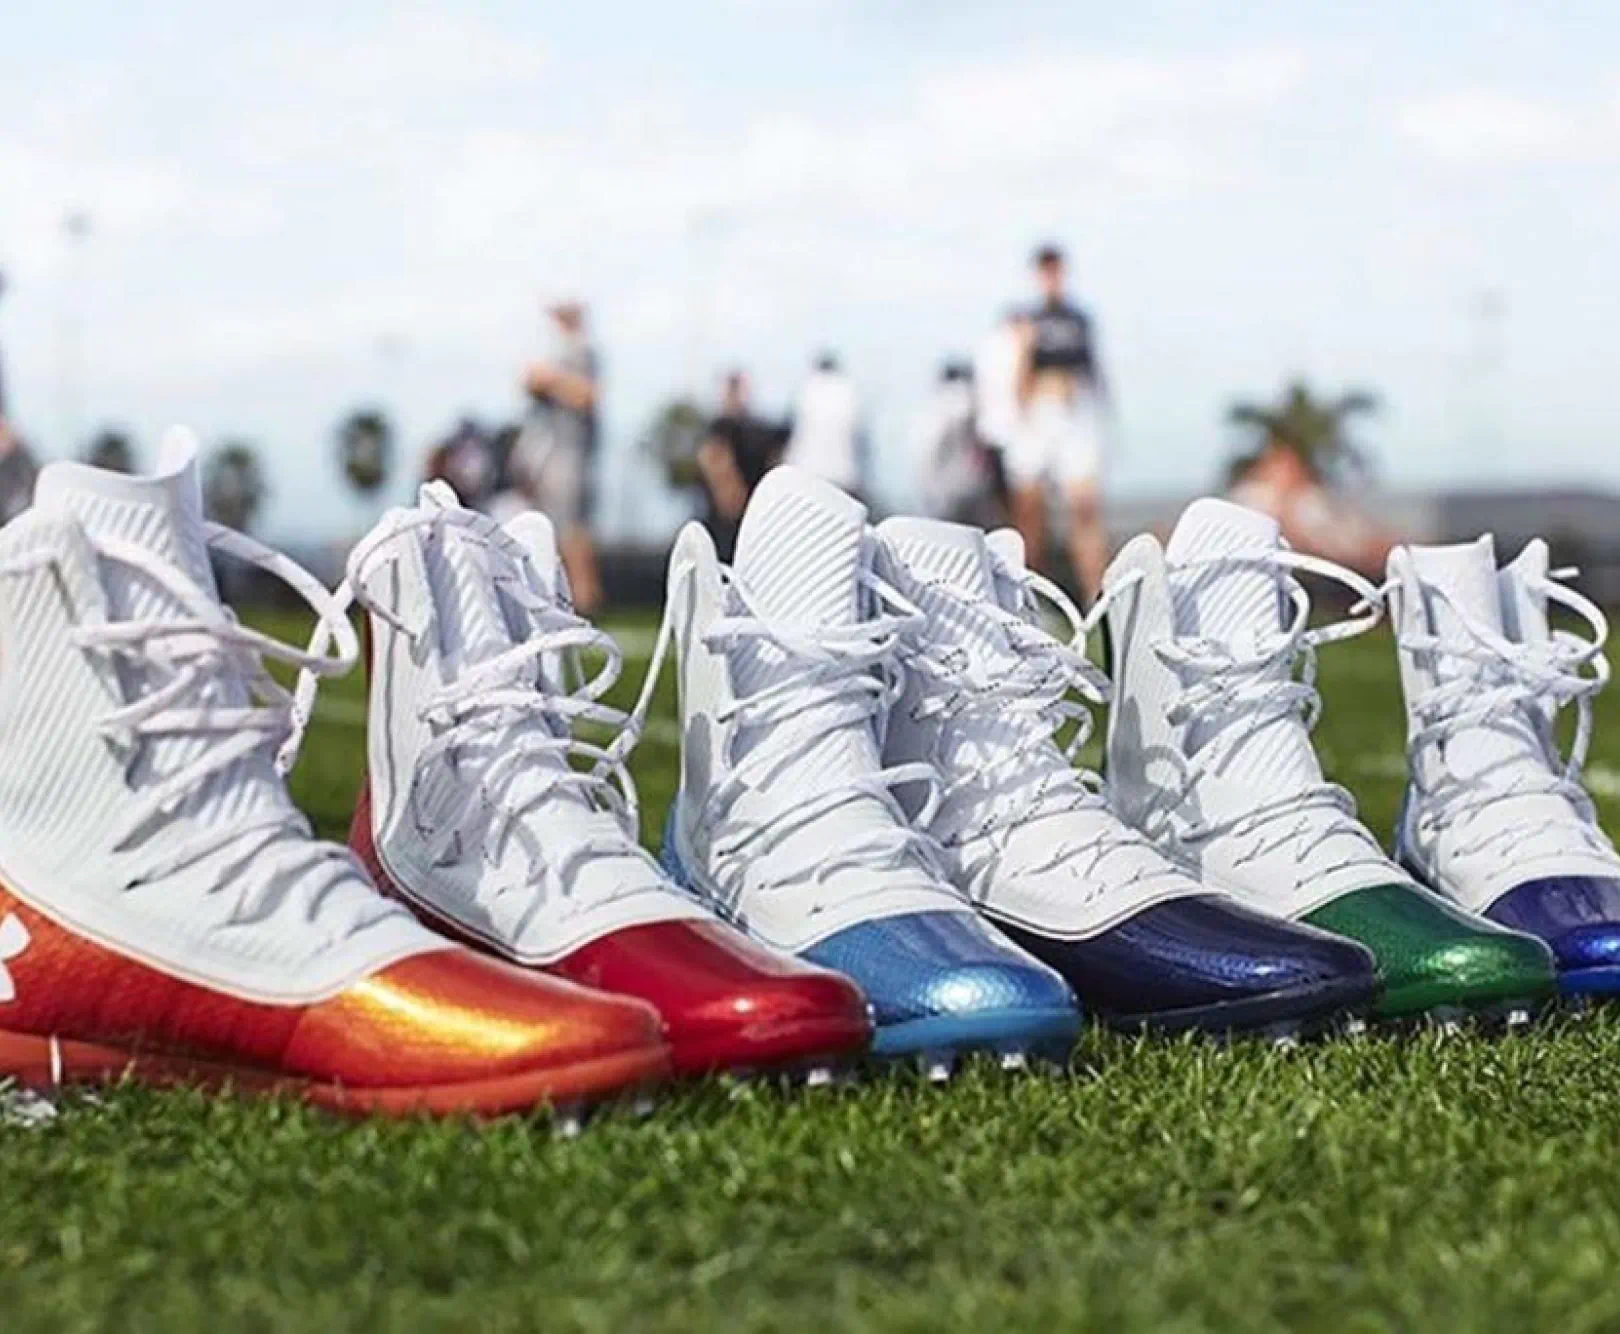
(477, 818)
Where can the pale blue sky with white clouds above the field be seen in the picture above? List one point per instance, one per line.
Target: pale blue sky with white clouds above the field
(301, 208)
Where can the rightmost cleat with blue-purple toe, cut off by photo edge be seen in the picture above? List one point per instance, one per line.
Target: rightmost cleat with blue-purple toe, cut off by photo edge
(1496, 819)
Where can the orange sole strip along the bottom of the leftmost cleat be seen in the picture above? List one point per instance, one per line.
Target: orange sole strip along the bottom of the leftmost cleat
(46, 1064)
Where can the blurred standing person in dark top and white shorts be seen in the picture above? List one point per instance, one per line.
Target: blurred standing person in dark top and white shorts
(1059, 442)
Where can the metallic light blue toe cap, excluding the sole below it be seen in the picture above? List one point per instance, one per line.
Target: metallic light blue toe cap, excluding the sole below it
(937, 965)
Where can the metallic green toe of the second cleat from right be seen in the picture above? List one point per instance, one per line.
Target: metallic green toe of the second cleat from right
(1438, 956)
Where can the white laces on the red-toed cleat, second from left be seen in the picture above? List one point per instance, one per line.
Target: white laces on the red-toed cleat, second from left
(501, 714)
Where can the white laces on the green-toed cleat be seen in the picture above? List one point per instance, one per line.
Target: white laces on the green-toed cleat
(1232, 696)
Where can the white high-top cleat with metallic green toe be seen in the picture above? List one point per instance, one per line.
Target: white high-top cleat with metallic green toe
(1209, 755)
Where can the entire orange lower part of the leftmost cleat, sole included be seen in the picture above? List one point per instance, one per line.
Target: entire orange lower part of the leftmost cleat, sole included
(445, 1032)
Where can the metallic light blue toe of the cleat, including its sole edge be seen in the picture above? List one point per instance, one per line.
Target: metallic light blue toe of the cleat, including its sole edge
(944, 985)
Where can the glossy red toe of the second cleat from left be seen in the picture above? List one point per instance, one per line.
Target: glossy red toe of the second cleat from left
(727, 1001)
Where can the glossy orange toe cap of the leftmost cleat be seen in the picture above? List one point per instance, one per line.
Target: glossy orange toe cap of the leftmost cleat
(454, 1017)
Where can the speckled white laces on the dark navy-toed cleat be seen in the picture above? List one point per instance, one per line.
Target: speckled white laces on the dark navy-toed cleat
(1038, 776)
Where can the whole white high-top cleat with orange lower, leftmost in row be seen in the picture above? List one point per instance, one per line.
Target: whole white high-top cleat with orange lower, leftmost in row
(164, 912)
